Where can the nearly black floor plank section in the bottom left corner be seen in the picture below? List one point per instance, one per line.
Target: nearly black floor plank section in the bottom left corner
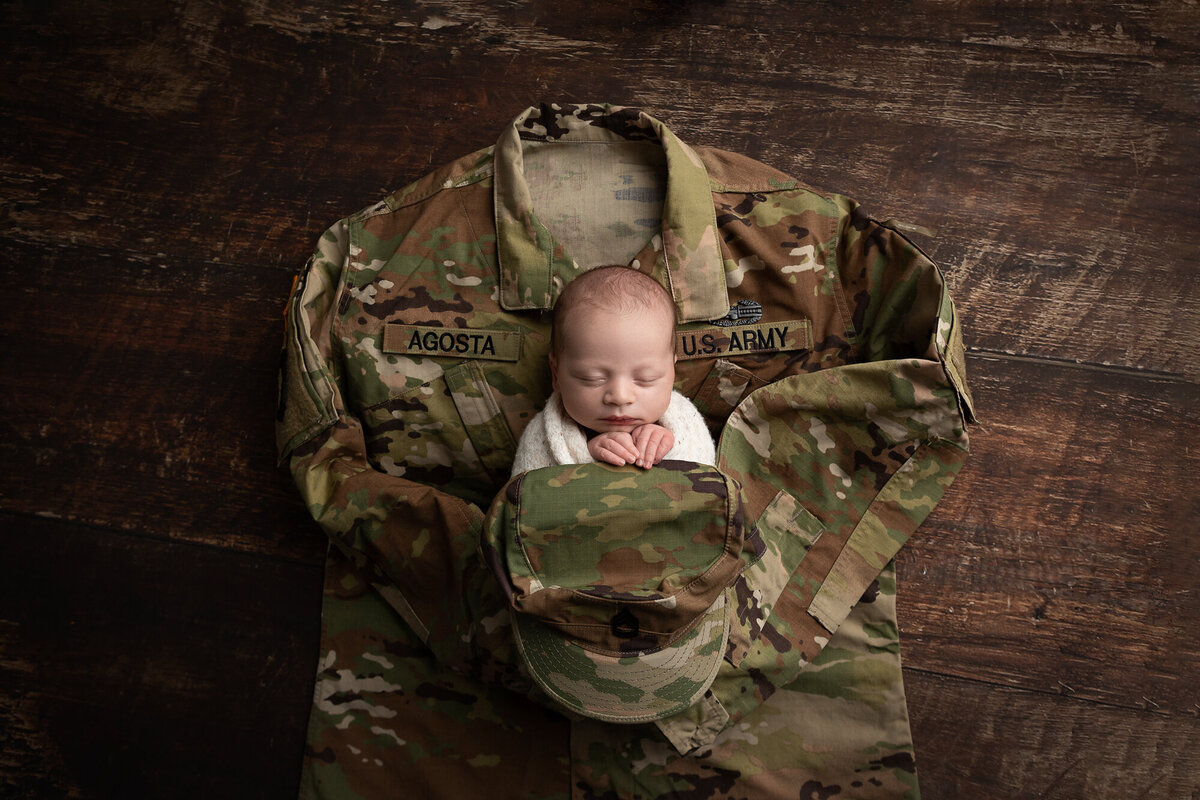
(143, 669)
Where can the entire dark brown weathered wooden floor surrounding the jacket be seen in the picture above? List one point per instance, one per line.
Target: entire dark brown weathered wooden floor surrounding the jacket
(167, 167)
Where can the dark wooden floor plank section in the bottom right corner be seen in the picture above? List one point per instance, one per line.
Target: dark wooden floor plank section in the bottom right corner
(986, 743)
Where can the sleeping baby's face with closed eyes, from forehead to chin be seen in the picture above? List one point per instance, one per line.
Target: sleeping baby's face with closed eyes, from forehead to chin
(616, 371)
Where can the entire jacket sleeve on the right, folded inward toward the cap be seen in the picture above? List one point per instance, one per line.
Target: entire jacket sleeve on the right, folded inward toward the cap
(842, 466)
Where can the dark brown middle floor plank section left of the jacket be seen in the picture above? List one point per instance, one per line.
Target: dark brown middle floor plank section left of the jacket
(146, 400)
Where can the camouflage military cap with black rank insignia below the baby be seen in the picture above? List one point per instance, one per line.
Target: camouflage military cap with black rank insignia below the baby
(619, 580)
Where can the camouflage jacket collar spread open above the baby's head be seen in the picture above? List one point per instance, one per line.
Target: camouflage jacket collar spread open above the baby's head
(687, 257)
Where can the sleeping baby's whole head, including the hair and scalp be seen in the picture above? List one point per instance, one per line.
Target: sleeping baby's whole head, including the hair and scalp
(613, 348)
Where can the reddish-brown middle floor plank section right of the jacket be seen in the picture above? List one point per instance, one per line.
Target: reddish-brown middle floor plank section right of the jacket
(1063, 560)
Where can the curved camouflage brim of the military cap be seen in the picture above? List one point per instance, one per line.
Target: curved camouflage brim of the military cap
(635, 688)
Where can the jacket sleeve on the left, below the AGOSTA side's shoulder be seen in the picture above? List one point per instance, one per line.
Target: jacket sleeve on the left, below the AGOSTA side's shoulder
(415, 543)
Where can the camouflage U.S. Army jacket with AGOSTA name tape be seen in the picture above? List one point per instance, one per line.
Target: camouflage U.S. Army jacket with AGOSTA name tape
(823, 350)
